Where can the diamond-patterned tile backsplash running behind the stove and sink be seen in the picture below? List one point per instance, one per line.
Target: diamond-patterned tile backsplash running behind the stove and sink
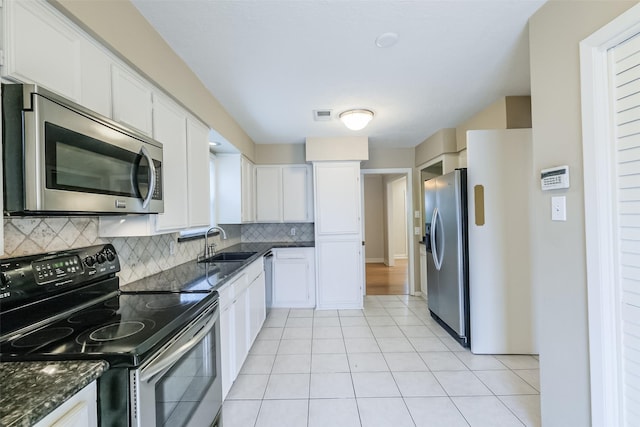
(139, 256)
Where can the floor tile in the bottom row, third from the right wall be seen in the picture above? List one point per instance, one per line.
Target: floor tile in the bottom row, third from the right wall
(435, 412)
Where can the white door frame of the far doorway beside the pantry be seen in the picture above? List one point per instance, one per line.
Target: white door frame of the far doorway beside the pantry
(409, 211)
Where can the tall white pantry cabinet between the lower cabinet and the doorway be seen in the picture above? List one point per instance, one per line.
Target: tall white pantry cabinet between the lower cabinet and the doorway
(339, 276)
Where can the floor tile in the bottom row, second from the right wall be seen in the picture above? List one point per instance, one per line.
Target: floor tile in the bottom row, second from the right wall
(486, 411)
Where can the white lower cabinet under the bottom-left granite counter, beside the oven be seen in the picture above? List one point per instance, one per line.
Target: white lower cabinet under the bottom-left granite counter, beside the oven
(81, 410)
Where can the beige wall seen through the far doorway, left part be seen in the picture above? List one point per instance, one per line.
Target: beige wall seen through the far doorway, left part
(374, 217)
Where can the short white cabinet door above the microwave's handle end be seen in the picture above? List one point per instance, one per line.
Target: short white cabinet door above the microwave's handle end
(132, 100)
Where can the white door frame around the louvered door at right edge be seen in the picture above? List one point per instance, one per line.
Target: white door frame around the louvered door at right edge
(600, 218)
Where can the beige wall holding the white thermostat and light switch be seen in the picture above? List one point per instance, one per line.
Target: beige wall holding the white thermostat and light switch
(558, 248)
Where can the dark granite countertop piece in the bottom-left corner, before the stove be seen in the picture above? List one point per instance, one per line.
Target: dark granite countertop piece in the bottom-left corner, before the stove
(29, 391)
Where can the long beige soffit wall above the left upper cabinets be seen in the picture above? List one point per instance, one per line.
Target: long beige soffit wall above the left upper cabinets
(119, 25)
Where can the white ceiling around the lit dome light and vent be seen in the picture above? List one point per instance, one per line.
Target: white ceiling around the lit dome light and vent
(272, 62)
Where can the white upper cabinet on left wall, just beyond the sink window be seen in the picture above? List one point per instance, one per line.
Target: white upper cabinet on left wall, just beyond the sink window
(234, 189)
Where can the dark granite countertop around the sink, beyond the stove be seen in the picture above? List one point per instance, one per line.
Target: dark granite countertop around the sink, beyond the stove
(193, 276)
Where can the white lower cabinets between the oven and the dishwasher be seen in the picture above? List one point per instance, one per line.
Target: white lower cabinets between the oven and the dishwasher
(242, 313)
